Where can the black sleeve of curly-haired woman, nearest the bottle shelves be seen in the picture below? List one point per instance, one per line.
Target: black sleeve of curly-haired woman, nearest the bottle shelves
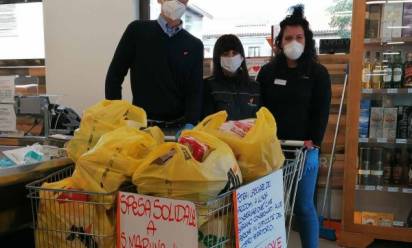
(319, 111)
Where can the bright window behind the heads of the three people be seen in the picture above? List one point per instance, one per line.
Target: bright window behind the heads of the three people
(252, 21)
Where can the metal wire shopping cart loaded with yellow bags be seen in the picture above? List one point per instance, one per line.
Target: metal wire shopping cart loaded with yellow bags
(72, 218)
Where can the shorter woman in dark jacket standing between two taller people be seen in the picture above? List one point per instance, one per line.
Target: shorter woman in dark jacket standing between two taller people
(230, 88)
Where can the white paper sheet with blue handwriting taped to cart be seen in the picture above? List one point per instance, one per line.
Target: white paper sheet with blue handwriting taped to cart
(259, 213)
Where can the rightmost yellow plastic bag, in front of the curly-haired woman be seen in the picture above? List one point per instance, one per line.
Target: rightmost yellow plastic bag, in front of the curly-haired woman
(258, 152)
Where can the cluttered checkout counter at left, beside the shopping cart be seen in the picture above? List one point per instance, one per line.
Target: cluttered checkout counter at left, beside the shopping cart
(30, 152)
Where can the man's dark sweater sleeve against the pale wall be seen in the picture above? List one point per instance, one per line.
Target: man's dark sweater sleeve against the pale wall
(121, 62)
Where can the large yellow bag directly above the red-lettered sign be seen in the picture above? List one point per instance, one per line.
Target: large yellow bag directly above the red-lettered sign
(171, 171)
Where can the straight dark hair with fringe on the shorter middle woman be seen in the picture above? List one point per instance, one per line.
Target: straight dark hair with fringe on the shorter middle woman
(226, 43)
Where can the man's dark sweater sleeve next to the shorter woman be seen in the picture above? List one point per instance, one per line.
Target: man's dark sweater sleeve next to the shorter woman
(193, 89)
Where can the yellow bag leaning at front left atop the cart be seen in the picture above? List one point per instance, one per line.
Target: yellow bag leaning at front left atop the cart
(114, 159)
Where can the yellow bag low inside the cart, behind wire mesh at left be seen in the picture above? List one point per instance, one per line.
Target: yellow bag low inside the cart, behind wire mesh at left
(71, 219)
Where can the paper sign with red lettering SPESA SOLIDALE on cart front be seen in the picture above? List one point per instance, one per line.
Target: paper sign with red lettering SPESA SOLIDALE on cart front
(148, 222)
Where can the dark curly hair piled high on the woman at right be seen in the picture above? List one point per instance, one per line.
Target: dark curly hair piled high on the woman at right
(297, 18)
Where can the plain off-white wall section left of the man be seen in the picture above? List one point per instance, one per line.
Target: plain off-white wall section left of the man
(80, 39)
